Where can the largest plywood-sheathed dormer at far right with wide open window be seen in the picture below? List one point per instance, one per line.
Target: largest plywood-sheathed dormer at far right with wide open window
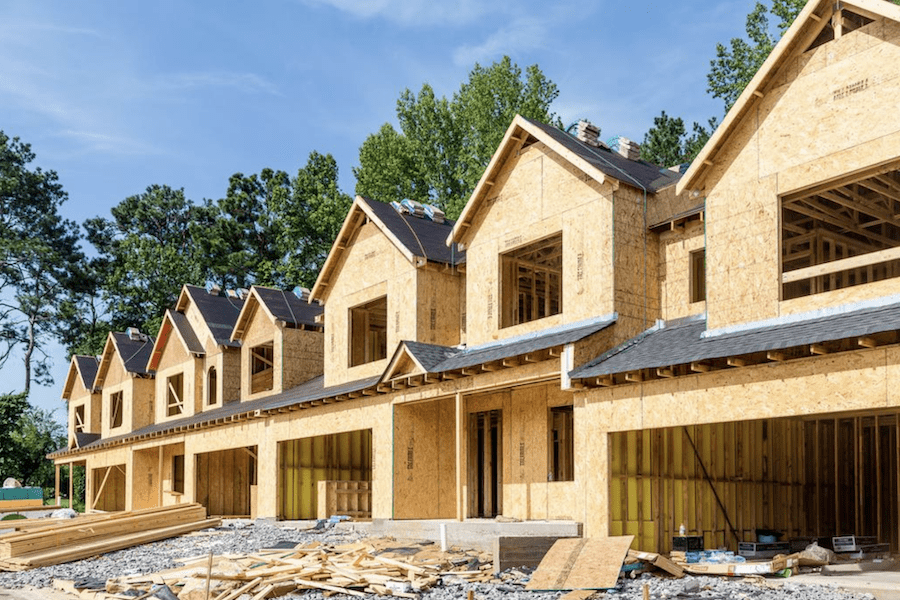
(802, 179)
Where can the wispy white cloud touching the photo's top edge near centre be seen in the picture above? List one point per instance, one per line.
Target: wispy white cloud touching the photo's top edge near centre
(413, 12)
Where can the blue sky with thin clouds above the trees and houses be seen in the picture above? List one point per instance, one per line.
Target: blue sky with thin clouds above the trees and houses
(116, 96)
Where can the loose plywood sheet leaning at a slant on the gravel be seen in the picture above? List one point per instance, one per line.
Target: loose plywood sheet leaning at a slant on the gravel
(581, 564)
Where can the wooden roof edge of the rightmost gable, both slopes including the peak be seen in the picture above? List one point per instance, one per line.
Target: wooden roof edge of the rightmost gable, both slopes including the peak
(814, 17)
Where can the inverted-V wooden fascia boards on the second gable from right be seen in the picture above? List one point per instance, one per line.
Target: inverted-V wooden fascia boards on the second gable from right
(463, 224)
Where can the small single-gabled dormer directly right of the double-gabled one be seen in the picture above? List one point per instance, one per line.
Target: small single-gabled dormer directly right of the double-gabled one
(281, 341)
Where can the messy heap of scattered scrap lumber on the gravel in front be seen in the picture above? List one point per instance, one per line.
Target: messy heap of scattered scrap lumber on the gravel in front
(371, 566)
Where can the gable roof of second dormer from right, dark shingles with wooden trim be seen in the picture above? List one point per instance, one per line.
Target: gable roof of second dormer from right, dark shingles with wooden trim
(597, 163)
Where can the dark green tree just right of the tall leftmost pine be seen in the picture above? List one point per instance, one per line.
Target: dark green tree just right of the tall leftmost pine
(151, 247)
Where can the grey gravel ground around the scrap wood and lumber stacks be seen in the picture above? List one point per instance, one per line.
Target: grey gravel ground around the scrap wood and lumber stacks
(240, 537)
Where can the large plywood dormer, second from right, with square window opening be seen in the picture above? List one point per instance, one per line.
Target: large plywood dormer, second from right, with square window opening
(555, 233)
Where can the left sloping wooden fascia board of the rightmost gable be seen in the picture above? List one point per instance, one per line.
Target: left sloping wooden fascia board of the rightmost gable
(692, 178)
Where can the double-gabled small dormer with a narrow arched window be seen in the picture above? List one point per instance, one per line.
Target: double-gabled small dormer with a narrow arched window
(197, 365)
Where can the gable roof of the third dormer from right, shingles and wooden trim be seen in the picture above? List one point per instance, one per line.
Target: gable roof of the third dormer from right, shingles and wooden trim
(420, 240)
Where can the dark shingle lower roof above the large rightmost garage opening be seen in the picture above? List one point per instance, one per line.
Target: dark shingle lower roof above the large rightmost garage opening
(684, 342)
